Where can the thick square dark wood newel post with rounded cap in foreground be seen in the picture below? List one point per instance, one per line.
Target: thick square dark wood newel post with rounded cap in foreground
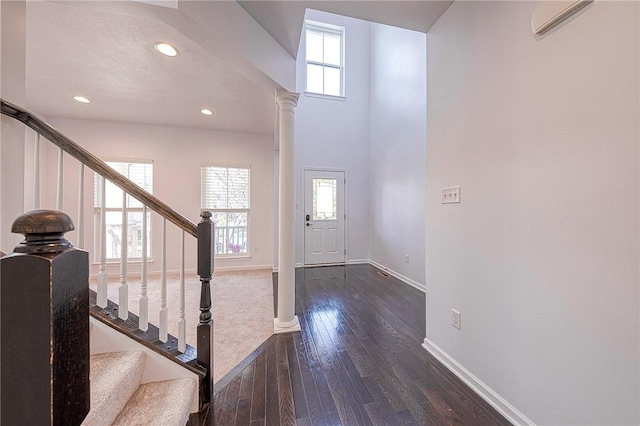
(44, 325)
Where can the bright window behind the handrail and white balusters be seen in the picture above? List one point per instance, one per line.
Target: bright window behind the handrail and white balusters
(141, 173)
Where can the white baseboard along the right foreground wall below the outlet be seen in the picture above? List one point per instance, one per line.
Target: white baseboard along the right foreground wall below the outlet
(478, 386)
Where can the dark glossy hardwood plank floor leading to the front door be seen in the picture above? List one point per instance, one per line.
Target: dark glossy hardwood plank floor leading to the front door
(358, 361)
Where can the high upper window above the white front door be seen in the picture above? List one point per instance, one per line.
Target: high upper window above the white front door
(325, 58)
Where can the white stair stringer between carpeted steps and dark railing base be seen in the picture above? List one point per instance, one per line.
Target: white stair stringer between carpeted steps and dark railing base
(157, 368)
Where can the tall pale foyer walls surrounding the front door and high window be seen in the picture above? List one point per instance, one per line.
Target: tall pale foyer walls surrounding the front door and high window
(378, 135)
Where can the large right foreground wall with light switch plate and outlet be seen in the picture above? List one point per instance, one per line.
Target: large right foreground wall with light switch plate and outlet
(541, 257)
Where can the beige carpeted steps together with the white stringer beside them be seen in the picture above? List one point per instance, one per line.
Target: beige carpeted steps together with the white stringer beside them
(131, 385)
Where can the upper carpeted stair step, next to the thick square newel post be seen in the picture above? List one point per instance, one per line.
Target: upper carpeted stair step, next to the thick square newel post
(114, 377)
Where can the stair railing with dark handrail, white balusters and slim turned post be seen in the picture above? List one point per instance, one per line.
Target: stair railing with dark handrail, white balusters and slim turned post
(203, 232)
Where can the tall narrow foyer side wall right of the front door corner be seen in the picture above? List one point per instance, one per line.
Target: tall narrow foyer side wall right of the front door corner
(397, 149)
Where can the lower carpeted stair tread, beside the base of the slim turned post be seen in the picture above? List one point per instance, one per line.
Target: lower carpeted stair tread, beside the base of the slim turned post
(163, 403)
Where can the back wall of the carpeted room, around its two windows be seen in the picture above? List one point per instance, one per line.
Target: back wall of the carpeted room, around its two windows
(177, 155)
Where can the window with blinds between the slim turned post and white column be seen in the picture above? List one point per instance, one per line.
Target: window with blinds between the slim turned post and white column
(226, 191)
